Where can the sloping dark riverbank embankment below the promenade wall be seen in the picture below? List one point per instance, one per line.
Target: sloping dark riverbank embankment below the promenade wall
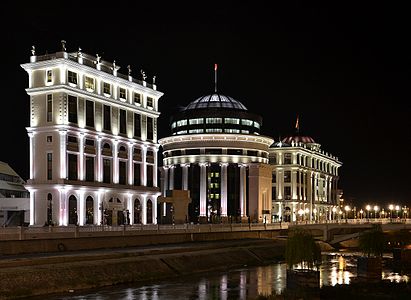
(48, 273)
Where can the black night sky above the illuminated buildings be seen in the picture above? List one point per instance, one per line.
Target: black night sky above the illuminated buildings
(344, 68)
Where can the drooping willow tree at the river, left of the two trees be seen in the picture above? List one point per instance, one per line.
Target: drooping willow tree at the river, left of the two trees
(302, 249)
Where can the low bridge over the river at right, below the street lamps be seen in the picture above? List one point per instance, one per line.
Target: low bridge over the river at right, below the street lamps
(334, 232)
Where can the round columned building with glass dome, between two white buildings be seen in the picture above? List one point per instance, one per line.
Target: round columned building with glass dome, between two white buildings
(216, 152)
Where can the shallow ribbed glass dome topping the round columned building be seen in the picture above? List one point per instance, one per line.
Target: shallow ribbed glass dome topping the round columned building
(215, 101)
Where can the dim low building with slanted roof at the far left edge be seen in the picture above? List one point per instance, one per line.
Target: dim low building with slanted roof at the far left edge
(14, 198)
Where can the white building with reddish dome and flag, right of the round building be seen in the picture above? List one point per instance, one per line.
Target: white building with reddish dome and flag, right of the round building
(304, 180)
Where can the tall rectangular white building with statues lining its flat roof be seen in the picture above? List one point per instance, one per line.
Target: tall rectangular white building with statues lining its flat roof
(93, 142)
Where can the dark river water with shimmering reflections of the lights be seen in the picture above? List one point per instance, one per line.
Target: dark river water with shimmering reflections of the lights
(245, 283)
